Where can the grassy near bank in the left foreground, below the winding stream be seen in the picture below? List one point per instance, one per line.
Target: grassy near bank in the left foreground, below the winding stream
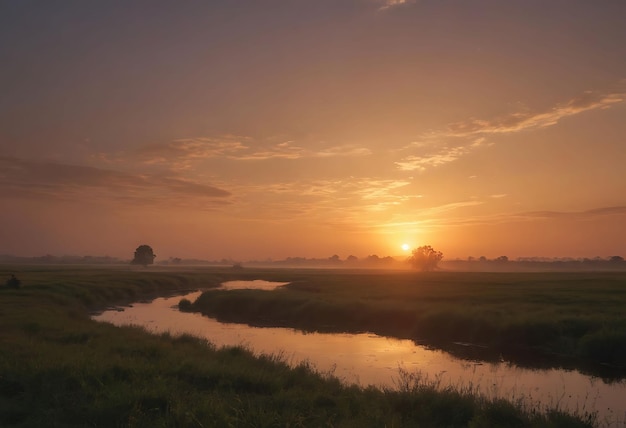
(60, 368)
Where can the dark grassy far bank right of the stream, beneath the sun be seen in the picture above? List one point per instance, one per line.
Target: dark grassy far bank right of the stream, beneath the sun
(535, 318)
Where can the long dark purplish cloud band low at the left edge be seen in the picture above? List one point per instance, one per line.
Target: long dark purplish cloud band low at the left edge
(21, 178)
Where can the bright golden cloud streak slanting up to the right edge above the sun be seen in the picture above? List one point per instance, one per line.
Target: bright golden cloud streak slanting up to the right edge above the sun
(472, 134)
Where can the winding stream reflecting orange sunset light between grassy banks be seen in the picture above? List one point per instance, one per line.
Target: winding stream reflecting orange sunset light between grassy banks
(369, 359)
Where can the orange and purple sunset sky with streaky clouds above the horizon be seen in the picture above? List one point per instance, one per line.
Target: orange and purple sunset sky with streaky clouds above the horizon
(306, 128)
